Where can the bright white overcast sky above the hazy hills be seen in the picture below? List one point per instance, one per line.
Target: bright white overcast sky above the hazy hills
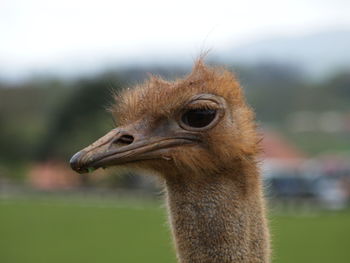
(76, 35)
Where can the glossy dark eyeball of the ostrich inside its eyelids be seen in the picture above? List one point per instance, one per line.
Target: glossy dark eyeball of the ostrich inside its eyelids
(198, 118)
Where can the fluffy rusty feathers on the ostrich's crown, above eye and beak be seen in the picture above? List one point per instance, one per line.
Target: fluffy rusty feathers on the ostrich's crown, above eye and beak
(159, 97)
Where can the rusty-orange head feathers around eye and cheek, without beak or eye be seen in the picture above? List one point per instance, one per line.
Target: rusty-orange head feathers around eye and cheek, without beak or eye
(233, 139)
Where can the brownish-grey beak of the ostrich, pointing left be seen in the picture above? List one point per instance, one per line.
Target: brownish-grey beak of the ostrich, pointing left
(129, 144)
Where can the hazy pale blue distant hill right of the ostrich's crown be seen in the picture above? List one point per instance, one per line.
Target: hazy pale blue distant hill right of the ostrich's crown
(317, 54)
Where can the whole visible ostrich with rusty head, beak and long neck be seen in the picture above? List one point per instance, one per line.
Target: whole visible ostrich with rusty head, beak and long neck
(199, 136)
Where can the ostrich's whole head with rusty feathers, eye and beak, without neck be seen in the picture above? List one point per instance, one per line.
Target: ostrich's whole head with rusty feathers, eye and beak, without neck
(199, 124)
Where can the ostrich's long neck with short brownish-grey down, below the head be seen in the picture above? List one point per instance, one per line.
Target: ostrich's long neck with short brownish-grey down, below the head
(218, 220)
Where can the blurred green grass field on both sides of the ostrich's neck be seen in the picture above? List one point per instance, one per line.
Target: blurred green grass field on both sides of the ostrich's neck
(38, 231)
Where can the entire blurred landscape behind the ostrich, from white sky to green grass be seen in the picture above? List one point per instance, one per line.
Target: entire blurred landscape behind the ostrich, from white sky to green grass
(60, 61)
